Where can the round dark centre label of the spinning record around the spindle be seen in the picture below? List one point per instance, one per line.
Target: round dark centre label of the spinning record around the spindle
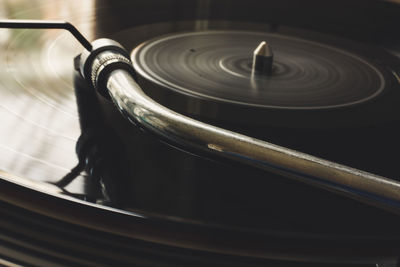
(217, 65)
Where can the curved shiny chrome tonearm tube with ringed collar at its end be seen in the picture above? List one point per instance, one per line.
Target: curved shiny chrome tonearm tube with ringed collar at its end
(110, 71)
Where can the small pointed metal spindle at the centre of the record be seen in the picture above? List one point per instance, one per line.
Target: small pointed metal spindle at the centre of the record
(263, 59)
